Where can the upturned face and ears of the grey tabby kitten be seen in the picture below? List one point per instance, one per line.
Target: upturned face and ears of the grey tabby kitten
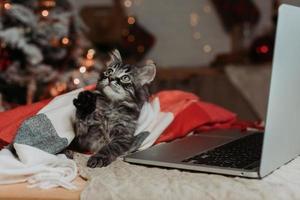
(119, 81)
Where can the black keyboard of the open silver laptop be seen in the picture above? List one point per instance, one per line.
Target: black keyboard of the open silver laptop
(243, 153)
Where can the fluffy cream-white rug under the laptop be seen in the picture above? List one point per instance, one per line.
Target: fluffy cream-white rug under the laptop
(121, 181)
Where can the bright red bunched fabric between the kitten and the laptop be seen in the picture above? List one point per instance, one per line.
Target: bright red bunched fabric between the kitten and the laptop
(190, 113)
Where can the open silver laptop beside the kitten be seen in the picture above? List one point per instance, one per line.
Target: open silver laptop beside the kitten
(250, 154)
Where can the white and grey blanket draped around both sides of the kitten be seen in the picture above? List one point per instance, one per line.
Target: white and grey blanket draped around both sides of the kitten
(51, 131)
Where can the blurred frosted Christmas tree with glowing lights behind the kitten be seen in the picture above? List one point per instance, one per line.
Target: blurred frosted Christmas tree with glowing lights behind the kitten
(43, 51)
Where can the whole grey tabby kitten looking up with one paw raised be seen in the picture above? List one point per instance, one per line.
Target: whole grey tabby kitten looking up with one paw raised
(106, 118)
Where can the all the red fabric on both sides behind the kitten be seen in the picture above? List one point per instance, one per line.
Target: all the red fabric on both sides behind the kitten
(190, 114)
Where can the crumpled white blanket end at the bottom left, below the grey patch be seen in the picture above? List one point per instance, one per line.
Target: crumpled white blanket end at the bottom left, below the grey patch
(37, 167)
